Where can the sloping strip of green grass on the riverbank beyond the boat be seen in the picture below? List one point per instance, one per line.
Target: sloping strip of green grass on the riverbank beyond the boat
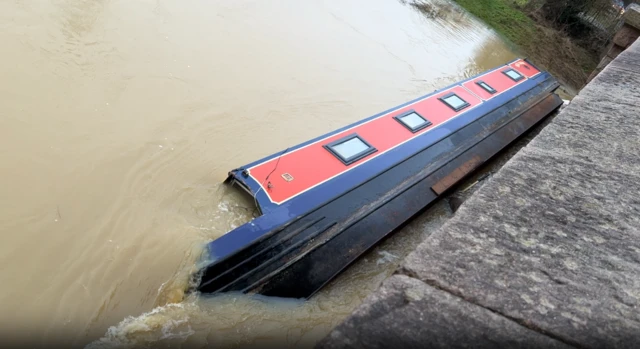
(547, 47)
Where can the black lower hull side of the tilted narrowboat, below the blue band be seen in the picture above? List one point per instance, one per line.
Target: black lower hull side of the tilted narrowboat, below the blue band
(298, 259)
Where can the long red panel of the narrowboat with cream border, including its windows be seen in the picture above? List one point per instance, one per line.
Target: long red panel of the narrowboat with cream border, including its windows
(301, 169)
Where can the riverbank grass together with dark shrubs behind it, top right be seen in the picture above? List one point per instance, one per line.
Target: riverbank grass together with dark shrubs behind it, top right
(567, 37)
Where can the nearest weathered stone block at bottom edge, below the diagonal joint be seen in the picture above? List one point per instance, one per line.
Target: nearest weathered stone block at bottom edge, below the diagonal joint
(407, 313)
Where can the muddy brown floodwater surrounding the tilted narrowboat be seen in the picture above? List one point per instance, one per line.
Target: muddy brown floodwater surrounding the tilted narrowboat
(120, 118)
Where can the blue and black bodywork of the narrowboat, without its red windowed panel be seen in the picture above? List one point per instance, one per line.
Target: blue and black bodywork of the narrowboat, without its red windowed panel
(296, 248)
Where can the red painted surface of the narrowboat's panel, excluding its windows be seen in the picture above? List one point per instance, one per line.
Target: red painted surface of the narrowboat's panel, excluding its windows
(313, 164)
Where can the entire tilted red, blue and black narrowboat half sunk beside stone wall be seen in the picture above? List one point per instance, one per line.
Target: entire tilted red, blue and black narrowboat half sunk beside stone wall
(325, 202)
